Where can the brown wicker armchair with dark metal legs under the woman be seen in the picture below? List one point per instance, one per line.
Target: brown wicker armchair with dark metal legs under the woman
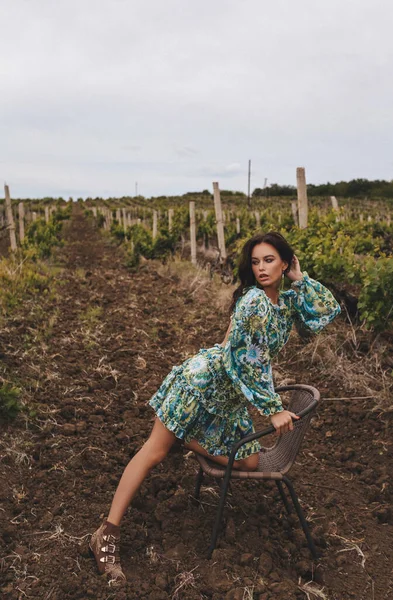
(274, 462)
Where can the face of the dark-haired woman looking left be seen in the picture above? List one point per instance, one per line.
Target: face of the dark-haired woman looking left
(267, 265)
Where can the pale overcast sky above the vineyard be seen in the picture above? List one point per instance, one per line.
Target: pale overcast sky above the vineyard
(96, 95)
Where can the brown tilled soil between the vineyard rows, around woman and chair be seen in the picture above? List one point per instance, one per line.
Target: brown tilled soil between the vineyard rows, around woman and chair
(88, 356)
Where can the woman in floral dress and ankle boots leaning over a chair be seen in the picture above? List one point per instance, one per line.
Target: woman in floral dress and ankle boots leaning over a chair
(204, 401)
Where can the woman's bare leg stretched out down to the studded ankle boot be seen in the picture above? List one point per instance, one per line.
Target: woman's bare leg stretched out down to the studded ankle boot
(151, 454)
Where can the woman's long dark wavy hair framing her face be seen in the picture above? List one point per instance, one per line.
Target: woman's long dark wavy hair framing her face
(246, 275)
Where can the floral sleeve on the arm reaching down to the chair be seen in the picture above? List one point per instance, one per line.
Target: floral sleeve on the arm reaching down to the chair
(247, 355)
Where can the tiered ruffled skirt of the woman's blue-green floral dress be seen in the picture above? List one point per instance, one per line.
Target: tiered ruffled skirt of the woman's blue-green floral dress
(198, 401)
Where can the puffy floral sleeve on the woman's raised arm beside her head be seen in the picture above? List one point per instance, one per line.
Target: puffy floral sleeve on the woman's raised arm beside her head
(313, 304)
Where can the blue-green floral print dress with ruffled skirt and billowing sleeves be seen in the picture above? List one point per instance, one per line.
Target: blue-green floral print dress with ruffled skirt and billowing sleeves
(205, 399)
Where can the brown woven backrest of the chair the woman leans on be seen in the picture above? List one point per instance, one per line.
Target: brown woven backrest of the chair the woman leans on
(282, 455)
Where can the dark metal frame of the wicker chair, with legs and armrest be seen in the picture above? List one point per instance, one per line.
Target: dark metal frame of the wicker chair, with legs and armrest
(279, 477)
